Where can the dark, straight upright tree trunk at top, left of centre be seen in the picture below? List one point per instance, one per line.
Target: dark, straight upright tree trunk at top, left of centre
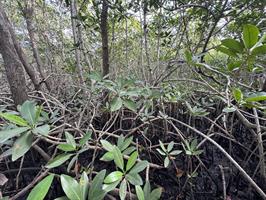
(104, 34)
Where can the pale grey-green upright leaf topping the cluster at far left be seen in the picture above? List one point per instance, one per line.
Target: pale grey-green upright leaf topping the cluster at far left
(28, 112)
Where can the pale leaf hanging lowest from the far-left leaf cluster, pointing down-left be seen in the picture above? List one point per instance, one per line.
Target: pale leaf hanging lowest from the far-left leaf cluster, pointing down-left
(22, 145)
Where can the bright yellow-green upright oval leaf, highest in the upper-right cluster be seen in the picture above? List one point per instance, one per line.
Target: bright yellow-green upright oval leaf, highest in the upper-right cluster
(250, 35)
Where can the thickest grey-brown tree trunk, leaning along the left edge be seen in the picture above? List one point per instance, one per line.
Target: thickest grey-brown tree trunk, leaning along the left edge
(12, 63)
